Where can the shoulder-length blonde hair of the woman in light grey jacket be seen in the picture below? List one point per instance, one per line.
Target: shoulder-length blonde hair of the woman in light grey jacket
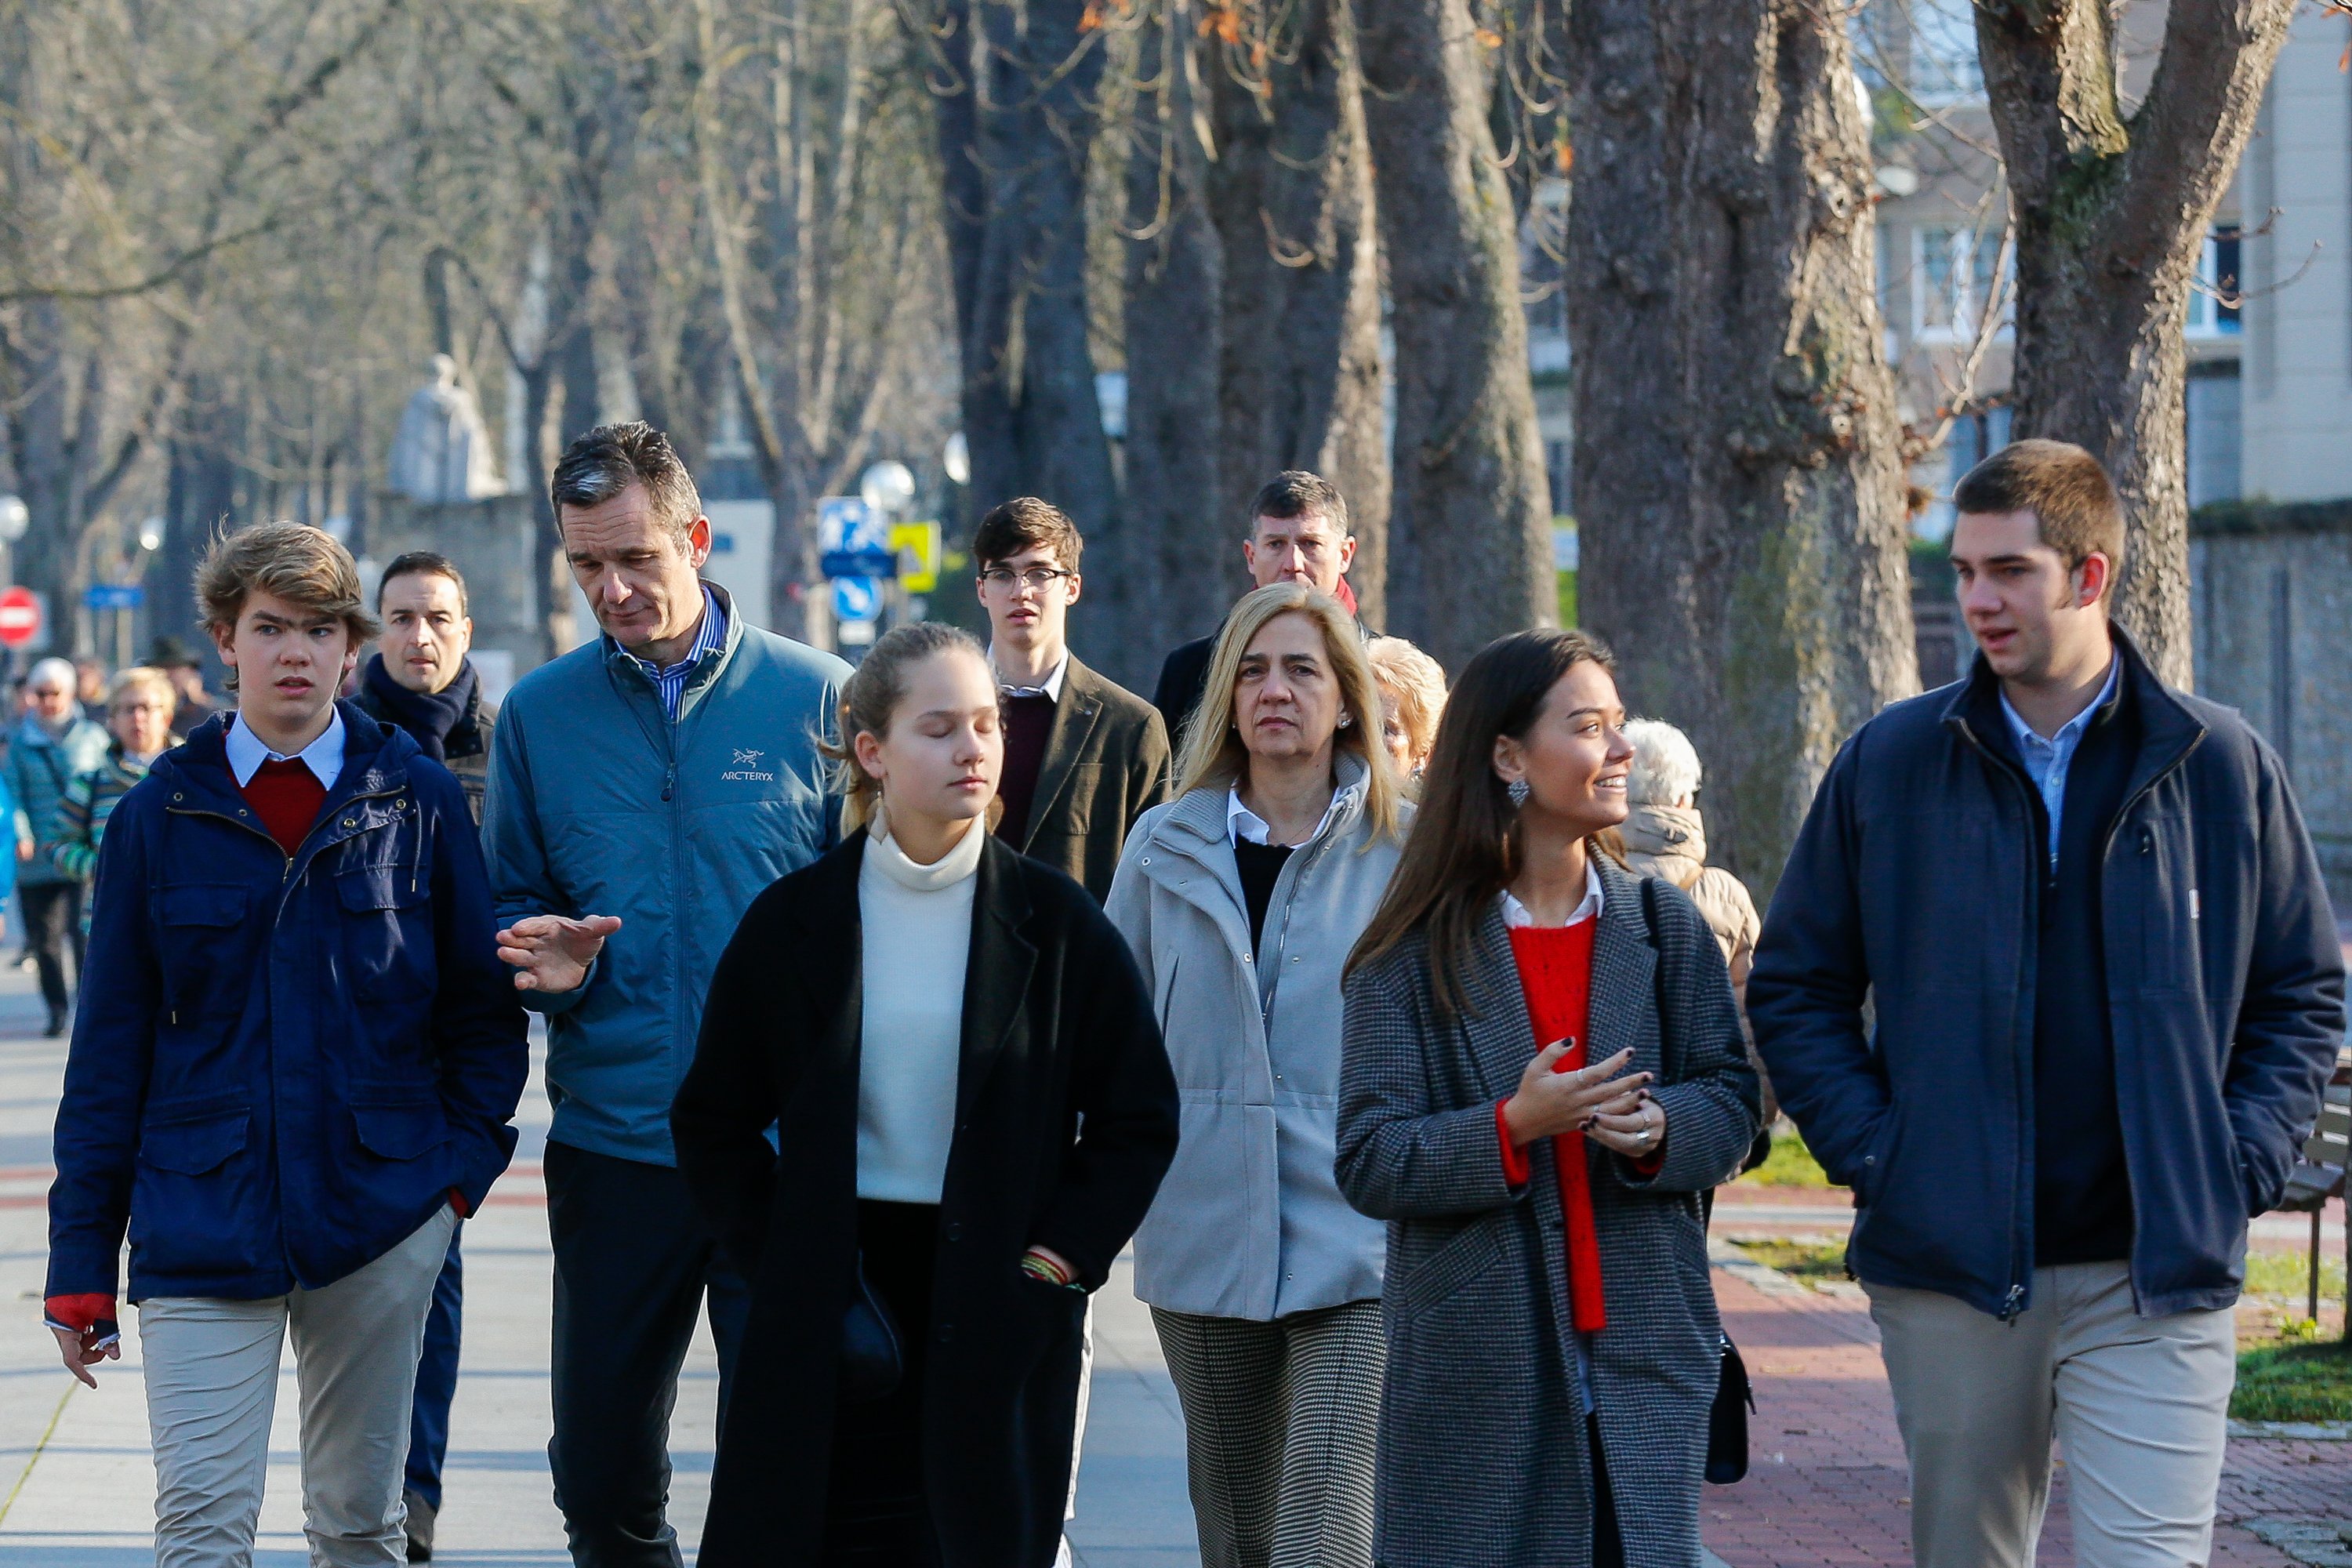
(1212, 746)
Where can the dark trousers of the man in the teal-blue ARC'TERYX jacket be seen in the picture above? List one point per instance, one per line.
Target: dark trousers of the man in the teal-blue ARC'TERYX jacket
(632, 1275)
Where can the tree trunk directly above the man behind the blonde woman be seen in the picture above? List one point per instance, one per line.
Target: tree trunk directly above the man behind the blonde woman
(1292, 201)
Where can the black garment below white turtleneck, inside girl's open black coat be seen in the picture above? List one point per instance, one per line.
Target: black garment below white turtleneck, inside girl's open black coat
(876, 1508)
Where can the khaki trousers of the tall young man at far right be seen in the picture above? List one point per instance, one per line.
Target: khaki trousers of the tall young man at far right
(2139, 1405)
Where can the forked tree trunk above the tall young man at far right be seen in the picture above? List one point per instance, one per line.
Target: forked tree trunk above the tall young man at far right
(2111, 217)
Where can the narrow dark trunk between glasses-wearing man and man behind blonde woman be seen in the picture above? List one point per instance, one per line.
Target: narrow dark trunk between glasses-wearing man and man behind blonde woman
(1170, 549)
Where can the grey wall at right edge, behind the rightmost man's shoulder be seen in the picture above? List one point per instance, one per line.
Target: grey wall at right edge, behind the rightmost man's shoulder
(2273, 612)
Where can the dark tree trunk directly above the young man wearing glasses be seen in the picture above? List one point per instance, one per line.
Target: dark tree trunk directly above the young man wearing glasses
(1015, 135)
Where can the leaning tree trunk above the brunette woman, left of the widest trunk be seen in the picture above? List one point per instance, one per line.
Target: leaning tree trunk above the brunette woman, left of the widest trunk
(1469, 521)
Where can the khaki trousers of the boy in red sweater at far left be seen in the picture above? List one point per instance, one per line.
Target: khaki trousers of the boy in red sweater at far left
(213, 1388)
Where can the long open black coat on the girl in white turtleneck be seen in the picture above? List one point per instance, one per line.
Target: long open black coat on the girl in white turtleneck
(1057, 1026)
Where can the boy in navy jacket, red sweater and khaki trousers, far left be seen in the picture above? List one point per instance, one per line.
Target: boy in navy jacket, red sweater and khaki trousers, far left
(293, 1073)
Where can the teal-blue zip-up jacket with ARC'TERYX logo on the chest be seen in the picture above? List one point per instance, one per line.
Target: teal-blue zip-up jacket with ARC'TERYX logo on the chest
(601, 805)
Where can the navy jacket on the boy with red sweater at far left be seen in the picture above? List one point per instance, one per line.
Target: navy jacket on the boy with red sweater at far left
(281, 1066)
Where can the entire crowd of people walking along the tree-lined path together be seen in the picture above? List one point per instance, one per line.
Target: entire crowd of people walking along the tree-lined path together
(1401, 1031)
